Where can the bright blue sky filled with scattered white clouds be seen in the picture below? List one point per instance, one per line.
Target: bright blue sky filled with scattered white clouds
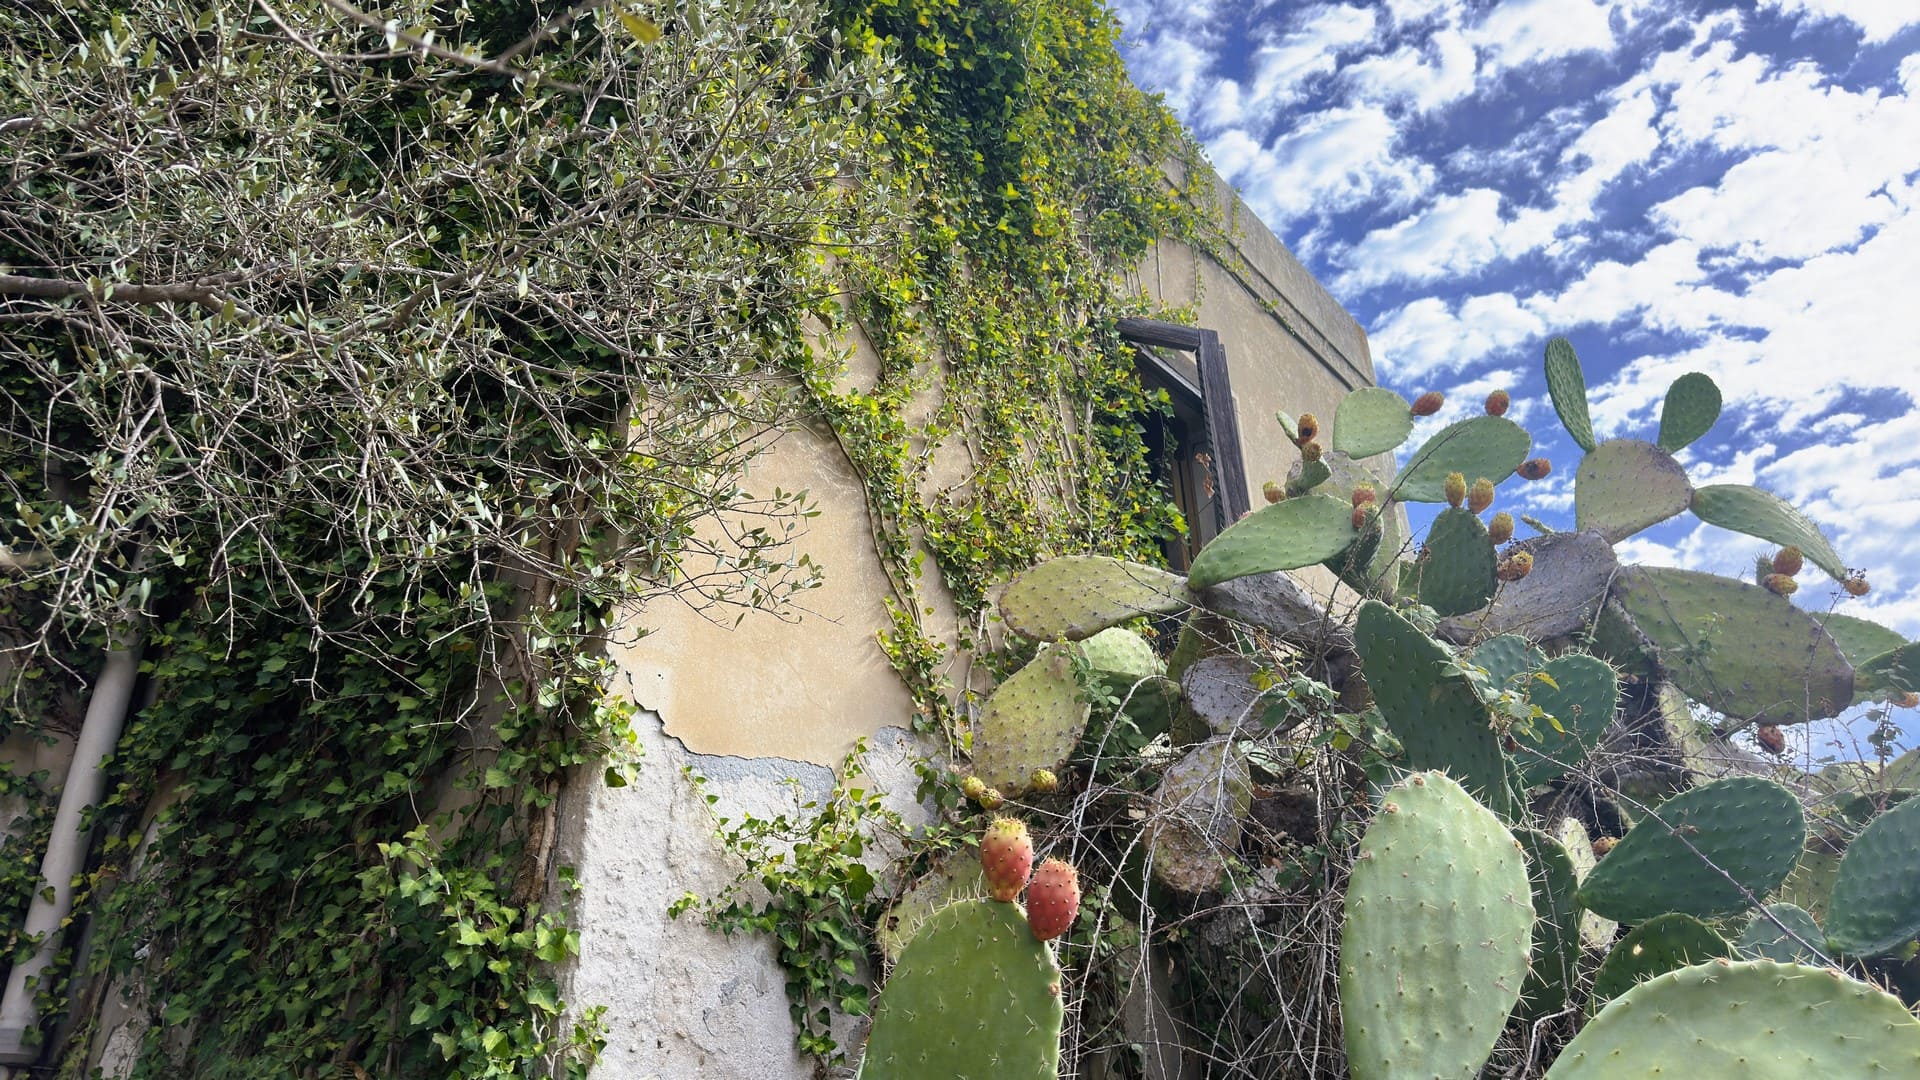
(1675, 185)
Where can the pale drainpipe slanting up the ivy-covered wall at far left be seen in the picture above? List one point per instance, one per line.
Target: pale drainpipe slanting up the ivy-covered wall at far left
(66, 850)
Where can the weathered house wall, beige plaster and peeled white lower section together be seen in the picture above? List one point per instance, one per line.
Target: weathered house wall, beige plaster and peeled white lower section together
(765, 708)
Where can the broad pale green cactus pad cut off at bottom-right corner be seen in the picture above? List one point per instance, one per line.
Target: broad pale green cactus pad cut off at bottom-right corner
(1750, 1019)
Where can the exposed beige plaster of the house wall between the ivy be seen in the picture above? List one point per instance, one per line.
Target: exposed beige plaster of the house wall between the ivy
(809, 687)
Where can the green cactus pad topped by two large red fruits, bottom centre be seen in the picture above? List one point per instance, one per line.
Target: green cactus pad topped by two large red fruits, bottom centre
(972, 998)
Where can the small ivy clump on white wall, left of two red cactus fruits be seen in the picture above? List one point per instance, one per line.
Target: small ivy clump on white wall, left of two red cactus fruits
(809, 889)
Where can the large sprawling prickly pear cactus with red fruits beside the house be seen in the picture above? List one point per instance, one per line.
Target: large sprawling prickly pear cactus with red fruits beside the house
(1500, 679)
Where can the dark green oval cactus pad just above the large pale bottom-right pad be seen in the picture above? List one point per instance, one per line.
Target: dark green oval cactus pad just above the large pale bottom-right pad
(1702, 852)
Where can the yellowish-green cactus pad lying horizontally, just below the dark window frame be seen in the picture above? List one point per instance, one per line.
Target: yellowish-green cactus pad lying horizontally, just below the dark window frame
(1080, 597)
